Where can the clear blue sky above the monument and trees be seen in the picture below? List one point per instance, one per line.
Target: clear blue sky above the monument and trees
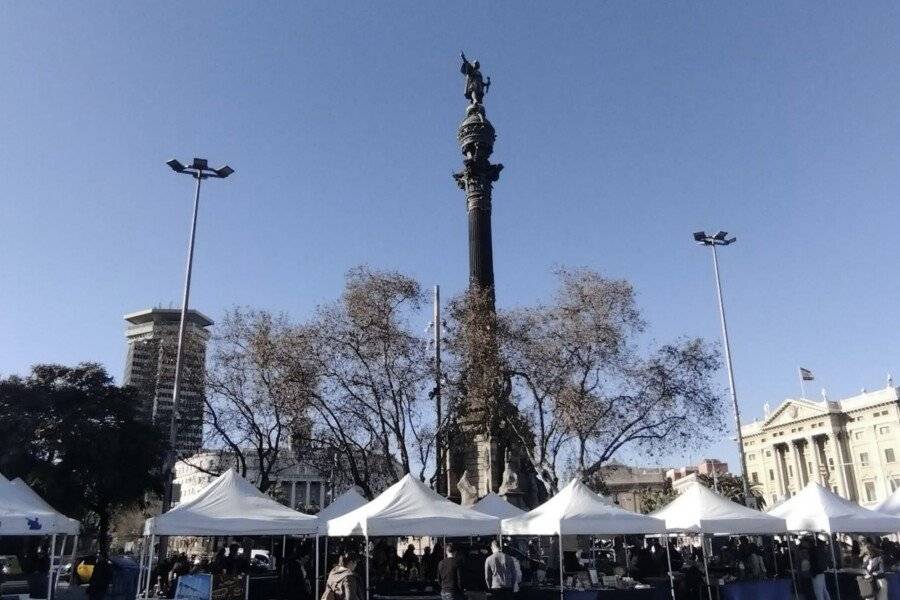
(623, 128)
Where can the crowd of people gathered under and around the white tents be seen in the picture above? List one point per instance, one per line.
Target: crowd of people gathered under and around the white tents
(475, 570)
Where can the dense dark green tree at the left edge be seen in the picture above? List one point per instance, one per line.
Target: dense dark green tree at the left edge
(76, 437)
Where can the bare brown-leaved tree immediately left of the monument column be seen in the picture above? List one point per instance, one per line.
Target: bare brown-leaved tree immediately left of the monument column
(370, 375)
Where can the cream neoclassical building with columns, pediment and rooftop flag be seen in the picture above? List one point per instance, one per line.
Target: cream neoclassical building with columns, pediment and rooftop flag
(850, 446)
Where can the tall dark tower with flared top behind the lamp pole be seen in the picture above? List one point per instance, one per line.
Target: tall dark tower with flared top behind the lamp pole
(152, 336)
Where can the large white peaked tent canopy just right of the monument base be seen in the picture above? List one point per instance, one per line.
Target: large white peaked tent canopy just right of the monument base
(576, 509)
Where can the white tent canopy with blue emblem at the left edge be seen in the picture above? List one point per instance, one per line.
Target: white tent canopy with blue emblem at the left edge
(22, 514)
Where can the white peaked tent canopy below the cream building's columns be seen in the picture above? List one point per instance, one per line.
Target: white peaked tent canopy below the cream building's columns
(818, 509)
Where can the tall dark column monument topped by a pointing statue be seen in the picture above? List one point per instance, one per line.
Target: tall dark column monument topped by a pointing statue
(483, 457)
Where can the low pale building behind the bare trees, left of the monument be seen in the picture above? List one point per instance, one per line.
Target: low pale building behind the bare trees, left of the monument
(296, 485)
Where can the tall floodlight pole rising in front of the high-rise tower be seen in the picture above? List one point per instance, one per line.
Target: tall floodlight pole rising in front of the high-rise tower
(199, 170)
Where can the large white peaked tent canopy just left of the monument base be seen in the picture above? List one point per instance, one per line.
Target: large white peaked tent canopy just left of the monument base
(409, 507)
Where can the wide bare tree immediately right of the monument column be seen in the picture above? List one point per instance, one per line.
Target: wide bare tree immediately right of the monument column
(586, 390)
